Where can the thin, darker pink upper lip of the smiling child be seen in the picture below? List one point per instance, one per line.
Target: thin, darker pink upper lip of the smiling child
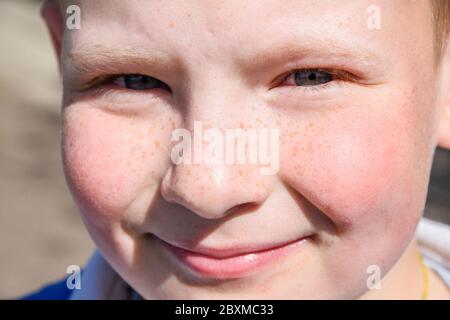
(231, 251)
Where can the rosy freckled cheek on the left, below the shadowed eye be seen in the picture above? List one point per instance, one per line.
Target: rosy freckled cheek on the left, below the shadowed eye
(109, 159)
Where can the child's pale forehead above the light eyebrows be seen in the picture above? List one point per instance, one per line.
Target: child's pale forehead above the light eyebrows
(220, 29)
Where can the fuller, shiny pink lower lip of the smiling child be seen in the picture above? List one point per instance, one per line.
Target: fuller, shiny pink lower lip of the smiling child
(232, 267)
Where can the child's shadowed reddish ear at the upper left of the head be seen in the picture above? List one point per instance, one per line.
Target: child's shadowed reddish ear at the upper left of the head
(51, 14)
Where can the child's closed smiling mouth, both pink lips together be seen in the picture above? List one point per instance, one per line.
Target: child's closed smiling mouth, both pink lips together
(230, 263)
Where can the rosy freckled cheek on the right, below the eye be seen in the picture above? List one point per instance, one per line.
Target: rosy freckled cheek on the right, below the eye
(352, 171)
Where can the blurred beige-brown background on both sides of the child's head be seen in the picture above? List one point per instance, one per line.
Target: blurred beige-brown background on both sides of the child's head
(41, 232)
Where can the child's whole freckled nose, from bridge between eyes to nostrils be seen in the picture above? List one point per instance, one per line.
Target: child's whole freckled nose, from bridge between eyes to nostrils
(208, 184)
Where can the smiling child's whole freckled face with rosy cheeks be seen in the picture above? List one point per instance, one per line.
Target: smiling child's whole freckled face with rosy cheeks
(354, 152)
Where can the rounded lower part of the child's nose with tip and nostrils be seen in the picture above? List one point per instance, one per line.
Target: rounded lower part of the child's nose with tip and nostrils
(215, 191)
